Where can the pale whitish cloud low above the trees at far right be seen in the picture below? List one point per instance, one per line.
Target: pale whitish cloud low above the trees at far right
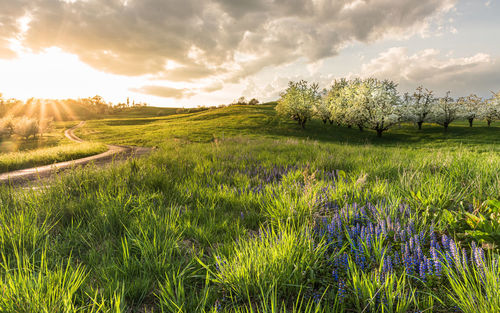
(477, 73)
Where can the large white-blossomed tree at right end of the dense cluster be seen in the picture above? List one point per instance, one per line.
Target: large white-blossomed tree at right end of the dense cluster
(376, 104)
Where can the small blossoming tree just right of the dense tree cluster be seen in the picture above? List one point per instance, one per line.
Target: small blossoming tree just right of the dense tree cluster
(418, 106)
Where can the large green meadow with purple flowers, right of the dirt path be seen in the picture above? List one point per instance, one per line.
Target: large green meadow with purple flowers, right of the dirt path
(239, 211)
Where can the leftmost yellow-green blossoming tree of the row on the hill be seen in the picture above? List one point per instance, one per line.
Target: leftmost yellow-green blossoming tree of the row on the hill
(298, 100)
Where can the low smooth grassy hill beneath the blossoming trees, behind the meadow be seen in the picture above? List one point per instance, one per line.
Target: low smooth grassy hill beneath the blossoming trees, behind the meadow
(261, 120)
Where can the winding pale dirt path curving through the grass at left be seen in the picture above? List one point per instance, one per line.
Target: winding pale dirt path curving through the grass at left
(36, 173)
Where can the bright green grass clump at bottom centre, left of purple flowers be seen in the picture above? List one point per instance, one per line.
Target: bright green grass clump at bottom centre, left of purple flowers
(284, 259)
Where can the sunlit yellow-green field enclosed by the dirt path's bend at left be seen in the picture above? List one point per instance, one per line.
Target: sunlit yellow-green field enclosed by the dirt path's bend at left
(50, 148)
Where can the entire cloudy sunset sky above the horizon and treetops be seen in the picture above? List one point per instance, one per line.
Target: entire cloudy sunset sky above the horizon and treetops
(185, 53)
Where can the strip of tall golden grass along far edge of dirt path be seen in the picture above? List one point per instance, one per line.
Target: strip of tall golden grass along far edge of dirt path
(25, 159)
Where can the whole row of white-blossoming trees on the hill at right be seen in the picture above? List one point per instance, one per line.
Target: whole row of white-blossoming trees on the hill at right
(376, 104)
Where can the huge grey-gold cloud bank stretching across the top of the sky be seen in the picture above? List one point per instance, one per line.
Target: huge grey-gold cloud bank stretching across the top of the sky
(140, 37)
